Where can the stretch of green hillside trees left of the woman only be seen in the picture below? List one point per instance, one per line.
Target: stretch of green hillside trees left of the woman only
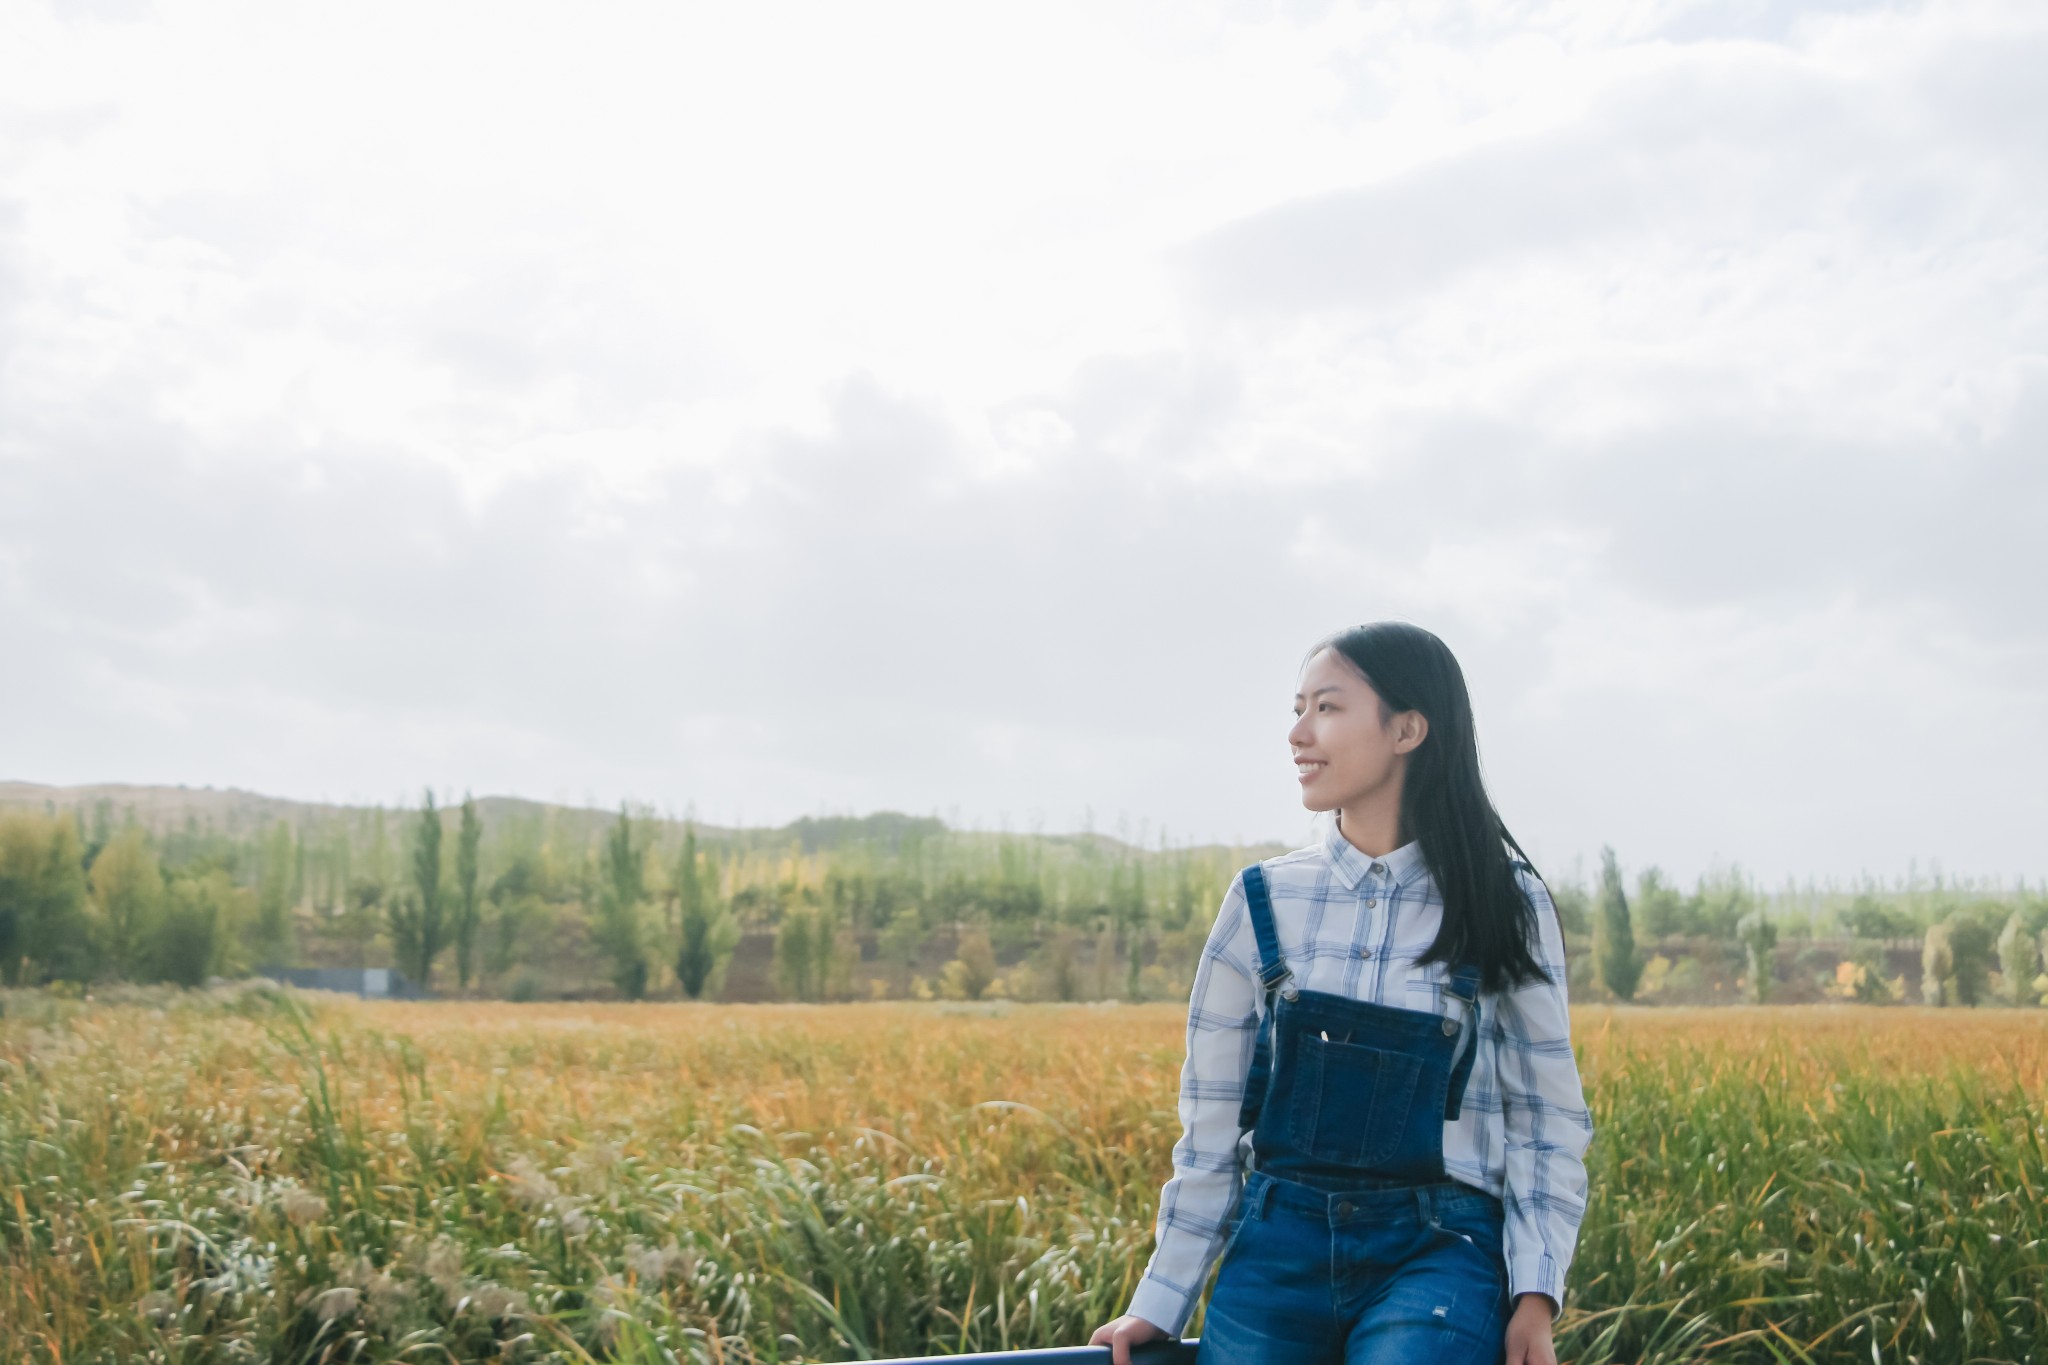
(536, 904)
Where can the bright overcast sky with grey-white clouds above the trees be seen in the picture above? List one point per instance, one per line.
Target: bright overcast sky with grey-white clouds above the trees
(980, 408)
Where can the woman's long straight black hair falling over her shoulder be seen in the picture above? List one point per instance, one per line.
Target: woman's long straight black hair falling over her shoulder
(1488, 922)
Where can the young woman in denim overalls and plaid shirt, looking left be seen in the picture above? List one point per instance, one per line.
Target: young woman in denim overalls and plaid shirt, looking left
(1383, 1125)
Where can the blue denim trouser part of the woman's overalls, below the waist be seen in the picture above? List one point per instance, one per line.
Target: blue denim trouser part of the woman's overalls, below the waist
(1388, 1276)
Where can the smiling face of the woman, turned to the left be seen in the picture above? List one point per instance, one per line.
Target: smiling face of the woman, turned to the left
(1342, 750)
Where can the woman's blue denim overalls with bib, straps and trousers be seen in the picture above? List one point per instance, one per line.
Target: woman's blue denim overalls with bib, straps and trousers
(1351, 1245)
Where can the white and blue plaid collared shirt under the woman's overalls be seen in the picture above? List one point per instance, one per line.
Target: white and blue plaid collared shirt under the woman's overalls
(1355, 926)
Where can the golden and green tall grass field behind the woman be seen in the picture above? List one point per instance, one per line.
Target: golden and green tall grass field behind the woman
(263, 1178)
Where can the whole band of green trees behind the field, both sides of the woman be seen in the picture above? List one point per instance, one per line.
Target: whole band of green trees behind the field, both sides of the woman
(525, 901)
